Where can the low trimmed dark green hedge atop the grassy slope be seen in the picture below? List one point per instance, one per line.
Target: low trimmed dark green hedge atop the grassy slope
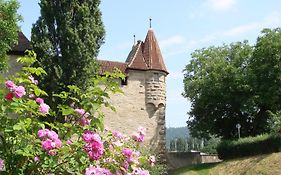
(249, 146)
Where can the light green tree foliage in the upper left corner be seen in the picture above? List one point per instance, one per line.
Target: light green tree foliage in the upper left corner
(8, 29)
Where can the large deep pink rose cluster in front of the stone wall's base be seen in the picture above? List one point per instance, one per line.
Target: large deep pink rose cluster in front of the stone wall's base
(94, 145)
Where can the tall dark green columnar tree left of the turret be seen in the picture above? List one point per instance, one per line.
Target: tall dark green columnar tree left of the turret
(67, 37)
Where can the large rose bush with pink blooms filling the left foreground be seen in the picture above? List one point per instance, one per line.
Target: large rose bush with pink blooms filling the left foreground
(31, 145)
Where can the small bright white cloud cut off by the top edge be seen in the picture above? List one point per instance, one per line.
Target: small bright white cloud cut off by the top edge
(221, 5)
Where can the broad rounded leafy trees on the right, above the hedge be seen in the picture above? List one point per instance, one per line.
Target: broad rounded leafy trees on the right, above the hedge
(232, 84)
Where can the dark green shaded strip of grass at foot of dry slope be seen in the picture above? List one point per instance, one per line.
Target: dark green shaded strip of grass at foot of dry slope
(200, 168)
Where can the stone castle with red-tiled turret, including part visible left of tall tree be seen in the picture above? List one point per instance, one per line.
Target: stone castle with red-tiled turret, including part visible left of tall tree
(144, 100)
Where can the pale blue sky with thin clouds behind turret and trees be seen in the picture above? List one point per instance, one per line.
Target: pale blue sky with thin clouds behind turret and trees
(181, 26)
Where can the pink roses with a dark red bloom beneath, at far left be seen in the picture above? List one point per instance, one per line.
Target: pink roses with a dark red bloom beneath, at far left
(18, 91)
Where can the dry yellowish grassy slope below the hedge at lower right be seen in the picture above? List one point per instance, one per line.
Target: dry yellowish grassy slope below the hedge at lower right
(268, 164)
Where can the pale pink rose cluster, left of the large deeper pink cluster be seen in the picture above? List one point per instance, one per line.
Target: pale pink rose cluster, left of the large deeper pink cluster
(50, 141)
